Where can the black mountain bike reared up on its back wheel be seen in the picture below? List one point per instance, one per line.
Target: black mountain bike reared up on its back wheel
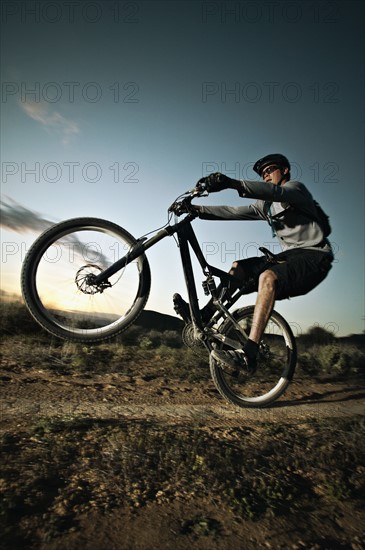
(88, 279)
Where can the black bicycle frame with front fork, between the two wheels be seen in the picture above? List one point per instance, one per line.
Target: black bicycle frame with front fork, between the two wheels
(186, 237)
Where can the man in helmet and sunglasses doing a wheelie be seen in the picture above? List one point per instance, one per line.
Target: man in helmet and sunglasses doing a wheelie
(295, 219)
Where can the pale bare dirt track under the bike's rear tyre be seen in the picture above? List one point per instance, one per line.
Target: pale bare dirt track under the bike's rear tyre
(119, 396)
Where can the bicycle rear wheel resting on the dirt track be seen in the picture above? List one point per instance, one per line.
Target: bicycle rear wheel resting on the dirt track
(275, 365)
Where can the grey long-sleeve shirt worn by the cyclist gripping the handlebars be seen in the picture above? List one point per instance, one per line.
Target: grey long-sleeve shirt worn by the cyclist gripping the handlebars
(294, 229)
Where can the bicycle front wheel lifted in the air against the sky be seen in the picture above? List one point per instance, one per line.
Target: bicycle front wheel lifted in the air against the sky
(56, 273)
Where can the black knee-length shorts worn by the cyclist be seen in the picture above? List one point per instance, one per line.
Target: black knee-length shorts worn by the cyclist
(298, 271)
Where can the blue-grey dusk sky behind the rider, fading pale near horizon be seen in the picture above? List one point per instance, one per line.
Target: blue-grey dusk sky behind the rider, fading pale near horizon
(112, 109)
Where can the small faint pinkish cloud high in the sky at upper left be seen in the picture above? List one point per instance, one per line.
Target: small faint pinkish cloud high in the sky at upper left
(51, 120)
